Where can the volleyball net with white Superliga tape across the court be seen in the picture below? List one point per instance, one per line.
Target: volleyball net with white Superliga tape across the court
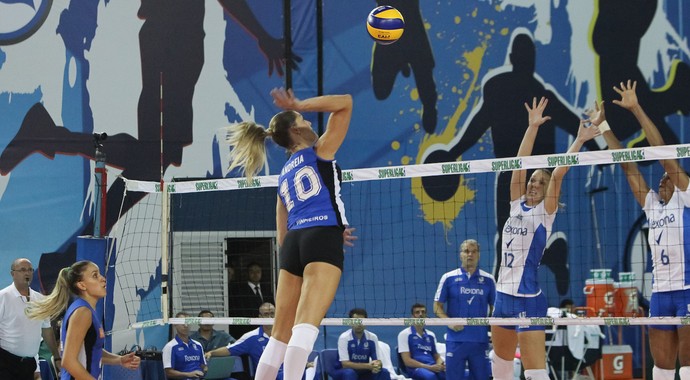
(410, 221)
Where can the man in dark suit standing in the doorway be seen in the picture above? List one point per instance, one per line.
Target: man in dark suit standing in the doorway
(247, 297)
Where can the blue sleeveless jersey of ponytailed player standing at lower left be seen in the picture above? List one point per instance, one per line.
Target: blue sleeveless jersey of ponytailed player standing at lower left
(91, 352)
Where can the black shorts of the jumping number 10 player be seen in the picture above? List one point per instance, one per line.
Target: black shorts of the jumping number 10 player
(308, 245)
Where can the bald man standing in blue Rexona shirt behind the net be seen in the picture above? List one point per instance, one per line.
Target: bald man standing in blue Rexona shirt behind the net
(469, 293)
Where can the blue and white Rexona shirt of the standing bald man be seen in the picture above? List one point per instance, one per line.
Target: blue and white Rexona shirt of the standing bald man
(467, 296)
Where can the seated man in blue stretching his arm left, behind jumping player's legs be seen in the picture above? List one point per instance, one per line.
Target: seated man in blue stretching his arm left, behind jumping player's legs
(251, 343)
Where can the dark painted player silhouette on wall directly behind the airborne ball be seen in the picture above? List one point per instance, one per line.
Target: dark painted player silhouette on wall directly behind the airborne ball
(411, 52)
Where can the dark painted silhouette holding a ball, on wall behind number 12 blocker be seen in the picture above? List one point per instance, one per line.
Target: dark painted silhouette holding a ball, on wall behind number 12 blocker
(502, 110)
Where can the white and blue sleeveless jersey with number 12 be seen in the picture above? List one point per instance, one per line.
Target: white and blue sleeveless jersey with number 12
(524, 240)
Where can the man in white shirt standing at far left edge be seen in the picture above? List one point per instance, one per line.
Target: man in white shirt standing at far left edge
(20, 337)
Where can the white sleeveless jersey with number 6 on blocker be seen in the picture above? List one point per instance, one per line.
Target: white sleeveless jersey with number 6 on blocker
(669, 239)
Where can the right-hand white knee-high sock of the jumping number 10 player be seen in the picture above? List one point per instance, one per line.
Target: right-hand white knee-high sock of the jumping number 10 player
(302, 342)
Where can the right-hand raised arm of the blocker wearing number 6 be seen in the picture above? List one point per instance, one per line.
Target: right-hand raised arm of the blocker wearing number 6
(629, 101)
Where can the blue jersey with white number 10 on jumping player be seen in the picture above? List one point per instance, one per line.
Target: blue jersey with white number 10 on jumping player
(309, 187)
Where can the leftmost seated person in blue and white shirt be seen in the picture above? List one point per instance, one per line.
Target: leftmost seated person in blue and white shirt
(183, 357)
